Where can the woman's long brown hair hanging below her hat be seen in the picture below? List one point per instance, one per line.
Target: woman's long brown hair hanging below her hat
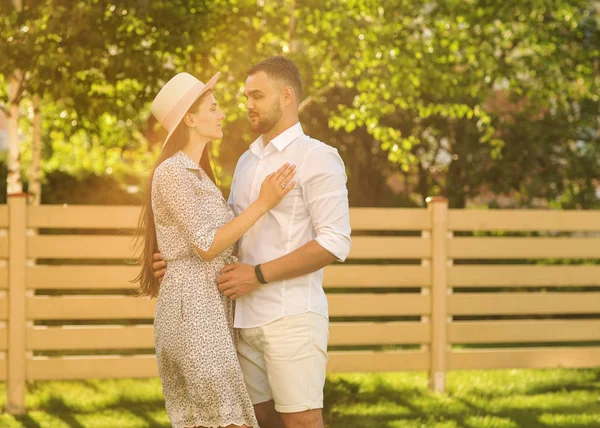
(149, 285)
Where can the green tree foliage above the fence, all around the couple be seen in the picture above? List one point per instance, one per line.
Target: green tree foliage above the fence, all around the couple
(459, 98)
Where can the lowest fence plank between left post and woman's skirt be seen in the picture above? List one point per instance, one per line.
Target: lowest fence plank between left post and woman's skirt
(93, 367)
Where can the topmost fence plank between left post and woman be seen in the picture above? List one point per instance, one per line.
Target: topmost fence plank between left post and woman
(83, 216)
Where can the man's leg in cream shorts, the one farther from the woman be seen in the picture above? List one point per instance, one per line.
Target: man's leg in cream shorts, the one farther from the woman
(295, 355)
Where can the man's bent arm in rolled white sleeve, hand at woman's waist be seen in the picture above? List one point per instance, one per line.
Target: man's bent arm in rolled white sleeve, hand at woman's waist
(324, 189)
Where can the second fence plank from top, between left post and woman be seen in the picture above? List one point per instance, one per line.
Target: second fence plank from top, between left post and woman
(80, 247)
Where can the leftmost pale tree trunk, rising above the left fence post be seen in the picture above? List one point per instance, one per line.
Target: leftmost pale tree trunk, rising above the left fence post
(13, 179)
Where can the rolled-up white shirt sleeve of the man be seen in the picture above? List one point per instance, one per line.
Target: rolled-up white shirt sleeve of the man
(322, 178)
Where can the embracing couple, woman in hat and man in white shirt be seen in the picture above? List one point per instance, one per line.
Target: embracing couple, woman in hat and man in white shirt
(291, 219)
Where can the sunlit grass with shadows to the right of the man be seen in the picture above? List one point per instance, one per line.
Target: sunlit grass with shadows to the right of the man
(382, 405)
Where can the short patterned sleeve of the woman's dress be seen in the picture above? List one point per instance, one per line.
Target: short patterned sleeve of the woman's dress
(182, 195)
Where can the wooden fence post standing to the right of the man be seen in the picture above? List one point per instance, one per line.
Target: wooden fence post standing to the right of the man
(438, 207)
